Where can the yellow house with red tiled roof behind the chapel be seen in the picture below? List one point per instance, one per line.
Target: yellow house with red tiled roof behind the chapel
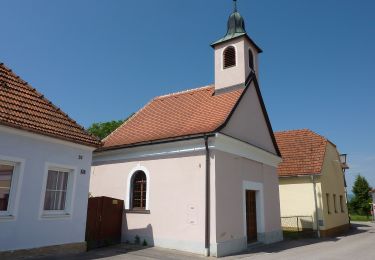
(312, 183)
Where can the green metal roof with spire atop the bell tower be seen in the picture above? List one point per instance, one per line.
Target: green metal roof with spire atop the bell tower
(236, 28)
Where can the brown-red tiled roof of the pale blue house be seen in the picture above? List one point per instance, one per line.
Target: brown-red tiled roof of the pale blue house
(22, 107)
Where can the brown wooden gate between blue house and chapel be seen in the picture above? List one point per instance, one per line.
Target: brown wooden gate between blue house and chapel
(104, 220)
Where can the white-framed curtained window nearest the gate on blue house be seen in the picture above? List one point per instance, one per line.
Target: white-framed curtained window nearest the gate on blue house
(56, 190)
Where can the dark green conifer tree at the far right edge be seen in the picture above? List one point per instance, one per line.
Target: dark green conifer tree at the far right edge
(360, 203)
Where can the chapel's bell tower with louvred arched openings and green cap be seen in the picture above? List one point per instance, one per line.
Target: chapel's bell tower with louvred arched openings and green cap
(236, 55)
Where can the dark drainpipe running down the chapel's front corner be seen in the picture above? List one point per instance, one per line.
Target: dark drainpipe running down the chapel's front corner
(207, 221)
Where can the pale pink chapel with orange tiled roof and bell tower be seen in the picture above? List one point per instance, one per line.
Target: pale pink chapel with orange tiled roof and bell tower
(198, 169)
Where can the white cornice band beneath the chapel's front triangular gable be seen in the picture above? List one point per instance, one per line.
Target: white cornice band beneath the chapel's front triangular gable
(234, 146)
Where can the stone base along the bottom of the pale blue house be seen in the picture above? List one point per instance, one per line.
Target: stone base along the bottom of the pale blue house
(44, 251)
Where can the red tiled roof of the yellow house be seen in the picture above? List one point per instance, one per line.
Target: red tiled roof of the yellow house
(302, 152)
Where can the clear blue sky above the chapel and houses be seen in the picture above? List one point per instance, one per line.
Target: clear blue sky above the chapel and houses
(103, 60)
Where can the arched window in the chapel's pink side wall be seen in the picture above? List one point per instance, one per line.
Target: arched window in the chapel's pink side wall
(139, 190)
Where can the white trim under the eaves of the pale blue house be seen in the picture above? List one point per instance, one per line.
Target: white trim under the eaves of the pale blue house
(44, 138)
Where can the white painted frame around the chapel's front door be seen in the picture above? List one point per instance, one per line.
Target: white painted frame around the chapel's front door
(258, 187)
